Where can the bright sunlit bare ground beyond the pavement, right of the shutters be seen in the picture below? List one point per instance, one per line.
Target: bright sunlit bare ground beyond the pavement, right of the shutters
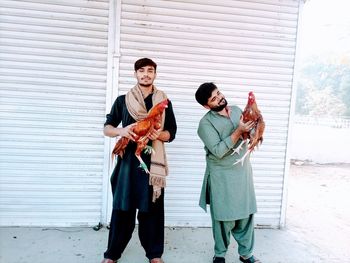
(319, 208)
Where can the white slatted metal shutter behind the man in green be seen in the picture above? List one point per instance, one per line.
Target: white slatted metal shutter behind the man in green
(239, 45)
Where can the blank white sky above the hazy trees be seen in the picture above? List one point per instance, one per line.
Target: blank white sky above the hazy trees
(325, 27)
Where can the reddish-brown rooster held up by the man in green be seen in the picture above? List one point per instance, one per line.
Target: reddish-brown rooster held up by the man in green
(255, 135)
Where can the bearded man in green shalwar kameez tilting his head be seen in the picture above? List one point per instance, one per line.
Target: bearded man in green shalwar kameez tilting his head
(228, 188)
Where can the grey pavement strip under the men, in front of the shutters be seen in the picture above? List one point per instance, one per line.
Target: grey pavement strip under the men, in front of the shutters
(185, 245)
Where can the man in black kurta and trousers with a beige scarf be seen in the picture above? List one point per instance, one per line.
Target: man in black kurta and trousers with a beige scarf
(131, 186)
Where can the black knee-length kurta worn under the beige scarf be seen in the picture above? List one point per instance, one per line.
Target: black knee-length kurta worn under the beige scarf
(130, 184)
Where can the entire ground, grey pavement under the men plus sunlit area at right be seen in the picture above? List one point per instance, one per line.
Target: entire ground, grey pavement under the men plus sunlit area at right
(318, 230)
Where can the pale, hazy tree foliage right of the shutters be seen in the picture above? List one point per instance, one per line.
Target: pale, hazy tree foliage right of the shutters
(323, 87)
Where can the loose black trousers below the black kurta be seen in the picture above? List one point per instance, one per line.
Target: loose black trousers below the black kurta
(150, 230)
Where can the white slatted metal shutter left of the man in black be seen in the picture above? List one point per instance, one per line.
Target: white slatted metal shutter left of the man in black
(53, 85)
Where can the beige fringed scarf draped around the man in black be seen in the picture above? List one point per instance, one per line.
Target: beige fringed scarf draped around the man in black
(159, 167)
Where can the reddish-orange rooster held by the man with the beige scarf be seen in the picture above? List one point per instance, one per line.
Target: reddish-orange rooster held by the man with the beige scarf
(142, 129)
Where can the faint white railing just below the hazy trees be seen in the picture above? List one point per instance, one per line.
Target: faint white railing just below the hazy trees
(334, 122)
